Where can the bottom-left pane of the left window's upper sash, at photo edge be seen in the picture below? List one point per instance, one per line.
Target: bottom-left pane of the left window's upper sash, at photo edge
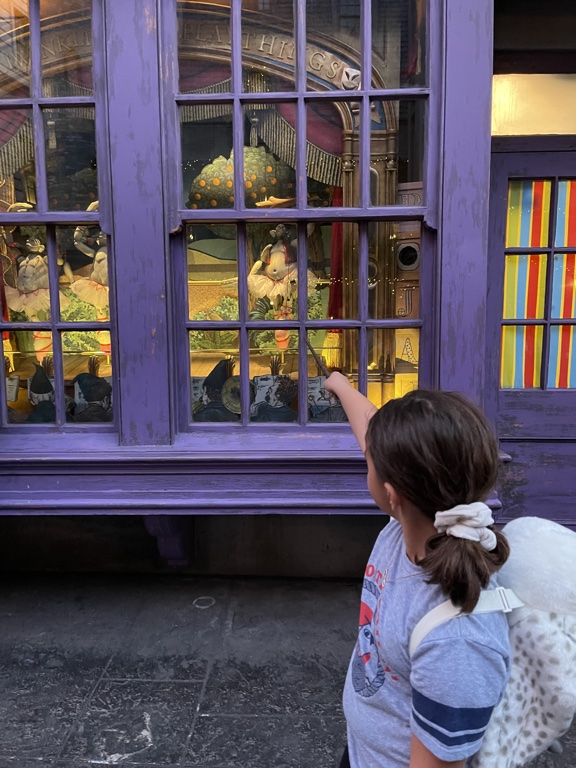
(17, 166)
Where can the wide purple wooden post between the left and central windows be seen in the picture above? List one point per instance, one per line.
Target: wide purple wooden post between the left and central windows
(138, 238)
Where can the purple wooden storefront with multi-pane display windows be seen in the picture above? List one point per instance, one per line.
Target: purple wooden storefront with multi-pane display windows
(199, 201)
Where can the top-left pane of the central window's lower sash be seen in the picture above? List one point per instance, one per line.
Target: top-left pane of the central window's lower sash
(212, 272)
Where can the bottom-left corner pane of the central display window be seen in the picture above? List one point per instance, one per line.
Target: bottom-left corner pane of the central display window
(214, 376)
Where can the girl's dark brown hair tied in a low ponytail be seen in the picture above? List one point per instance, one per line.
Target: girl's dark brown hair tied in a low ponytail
(438, 450)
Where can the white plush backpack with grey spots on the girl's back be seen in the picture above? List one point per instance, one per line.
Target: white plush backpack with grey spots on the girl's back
(538, 593)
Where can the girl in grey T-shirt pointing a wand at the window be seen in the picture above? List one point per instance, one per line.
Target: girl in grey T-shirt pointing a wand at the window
(432, 461)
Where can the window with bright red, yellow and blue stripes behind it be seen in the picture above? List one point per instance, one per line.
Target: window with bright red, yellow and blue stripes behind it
(539, 285)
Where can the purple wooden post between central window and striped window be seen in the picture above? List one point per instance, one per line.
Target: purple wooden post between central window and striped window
(464, 196)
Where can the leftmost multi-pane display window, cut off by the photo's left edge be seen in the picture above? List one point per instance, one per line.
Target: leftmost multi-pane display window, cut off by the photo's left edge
(55, 276)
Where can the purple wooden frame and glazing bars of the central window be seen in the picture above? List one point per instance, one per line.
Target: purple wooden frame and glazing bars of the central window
(364, 214)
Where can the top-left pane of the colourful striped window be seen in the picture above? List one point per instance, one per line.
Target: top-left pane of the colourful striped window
(528, 217)
